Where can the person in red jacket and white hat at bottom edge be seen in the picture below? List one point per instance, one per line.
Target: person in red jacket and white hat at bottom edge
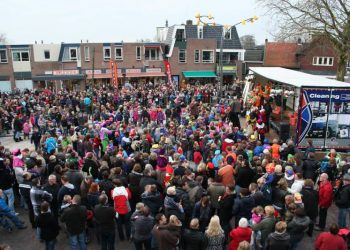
(239, 234)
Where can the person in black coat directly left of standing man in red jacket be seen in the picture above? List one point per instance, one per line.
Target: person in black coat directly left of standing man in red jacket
(310, 200)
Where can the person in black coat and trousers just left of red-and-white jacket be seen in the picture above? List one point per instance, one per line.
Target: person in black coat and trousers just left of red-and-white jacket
(105, 222)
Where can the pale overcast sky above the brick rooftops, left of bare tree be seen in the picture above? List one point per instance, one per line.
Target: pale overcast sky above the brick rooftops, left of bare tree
(55, 21)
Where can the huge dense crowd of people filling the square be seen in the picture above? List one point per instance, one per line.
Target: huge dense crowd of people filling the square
(165, 169)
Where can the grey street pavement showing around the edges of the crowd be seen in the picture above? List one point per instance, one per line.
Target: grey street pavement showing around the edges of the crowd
(26, 239)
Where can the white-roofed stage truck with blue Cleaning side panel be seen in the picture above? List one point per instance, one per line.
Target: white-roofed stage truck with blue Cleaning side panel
(322, 105)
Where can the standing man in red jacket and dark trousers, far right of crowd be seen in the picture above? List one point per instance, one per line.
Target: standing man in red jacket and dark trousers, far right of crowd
(325, 200)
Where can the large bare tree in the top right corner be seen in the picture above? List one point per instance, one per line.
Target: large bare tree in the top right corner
(328, 19)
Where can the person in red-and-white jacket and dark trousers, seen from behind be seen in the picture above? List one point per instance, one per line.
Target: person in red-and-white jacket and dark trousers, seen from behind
(121, 197)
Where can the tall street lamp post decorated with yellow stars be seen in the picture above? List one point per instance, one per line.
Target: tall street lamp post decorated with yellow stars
(225, 28)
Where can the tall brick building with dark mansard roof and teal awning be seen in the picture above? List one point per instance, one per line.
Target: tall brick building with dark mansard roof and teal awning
(193, 52)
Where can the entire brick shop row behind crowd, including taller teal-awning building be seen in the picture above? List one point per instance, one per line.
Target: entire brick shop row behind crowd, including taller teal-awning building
(192, 51)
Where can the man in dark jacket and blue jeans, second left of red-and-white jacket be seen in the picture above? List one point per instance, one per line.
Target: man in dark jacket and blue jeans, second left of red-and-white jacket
(75, 218)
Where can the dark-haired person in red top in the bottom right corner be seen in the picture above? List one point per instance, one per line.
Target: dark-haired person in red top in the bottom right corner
(331, 240)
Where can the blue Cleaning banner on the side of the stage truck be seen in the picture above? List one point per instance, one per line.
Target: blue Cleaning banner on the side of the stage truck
(324, 117)
